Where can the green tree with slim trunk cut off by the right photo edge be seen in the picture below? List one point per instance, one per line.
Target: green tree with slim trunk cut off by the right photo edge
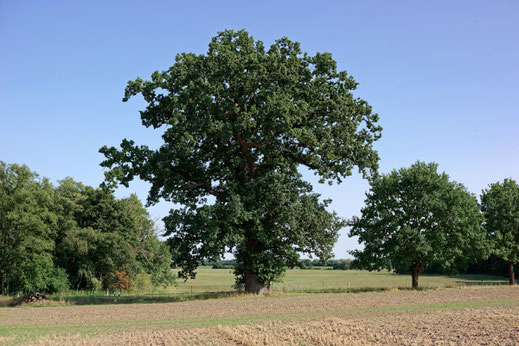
(500, 205)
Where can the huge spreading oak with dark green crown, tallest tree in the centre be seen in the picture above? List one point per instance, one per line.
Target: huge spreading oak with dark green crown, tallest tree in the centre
(238, 122)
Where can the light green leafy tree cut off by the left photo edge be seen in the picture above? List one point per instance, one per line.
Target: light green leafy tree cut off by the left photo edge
(28, 226)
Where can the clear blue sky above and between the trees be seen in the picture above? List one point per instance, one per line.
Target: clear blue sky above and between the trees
(443, 75)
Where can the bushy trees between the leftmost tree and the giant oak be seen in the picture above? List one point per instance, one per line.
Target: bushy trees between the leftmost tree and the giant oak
(106, 235)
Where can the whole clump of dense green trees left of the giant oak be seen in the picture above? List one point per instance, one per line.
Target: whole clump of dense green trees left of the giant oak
(54, 238)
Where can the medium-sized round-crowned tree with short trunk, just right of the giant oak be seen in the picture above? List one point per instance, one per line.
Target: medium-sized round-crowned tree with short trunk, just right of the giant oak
(416, 216)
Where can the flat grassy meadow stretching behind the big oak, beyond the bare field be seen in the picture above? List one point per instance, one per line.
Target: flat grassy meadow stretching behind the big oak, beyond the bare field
(218, 283)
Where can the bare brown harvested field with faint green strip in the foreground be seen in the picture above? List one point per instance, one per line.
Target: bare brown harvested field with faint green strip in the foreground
(459, 316)
